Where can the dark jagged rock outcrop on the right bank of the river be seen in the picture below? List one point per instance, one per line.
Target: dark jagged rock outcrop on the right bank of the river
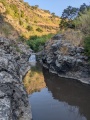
(65, 59)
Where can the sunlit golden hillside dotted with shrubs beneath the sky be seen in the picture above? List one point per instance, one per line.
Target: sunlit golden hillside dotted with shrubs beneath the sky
(18, 18)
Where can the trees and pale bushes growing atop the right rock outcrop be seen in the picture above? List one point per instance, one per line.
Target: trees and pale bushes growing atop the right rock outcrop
(78, 20)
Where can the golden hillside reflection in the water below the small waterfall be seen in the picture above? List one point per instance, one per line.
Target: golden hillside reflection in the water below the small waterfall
(34, 79)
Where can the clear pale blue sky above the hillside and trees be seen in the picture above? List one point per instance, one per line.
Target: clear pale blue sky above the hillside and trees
(56, 6)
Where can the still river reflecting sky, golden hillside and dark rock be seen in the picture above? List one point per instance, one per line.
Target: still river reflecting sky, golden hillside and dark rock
(55, 98)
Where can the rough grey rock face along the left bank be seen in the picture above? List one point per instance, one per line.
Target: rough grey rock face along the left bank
(13, 66)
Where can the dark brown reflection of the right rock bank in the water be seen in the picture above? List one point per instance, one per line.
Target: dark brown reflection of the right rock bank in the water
(69, 91)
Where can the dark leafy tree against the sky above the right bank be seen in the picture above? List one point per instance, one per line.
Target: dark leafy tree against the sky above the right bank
(70, 14)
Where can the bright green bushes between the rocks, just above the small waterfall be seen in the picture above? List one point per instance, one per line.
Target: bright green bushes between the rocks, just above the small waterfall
(36, 43)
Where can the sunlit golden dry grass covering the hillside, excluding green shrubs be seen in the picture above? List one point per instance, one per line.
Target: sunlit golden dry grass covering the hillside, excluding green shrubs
(36, 18)
